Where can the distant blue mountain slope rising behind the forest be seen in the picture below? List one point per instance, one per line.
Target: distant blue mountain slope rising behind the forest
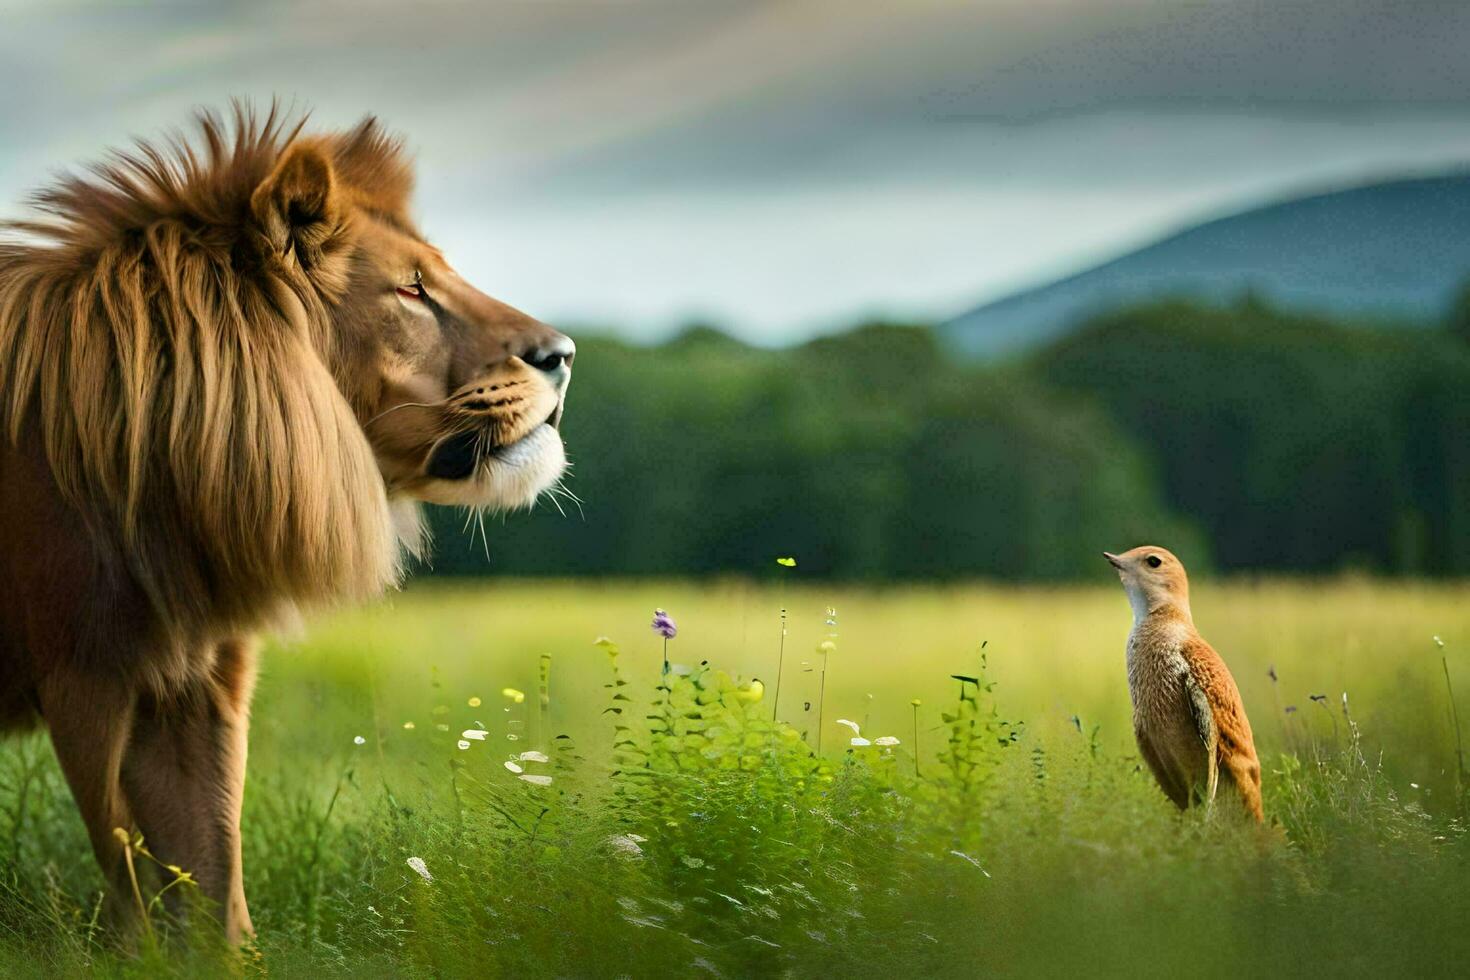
(1396, 252)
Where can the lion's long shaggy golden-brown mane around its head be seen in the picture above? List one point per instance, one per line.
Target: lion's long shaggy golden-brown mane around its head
(167, 347)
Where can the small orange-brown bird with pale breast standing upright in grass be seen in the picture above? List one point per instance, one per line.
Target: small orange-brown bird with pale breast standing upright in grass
(1188, 716)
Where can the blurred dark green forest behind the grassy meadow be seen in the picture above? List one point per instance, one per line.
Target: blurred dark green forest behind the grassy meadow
(1240, 437)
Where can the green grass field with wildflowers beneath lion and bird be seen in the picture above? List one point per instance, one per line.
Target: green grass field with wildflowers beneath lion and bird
(683, 834)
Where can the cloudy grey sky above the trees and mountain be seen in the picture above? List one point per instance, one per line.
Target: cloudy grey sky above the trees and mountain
(783, 168)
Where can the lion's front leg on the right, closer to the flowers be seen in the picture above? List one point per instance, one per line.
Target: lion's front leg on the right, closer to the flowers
(184, 775)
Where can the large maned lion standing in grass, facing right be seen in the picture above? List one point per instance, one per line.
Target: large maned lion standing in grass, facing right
(230, 370)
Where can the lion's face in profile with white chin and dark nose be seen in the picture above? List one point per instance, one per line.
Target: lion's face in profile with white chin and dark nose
(459, 394)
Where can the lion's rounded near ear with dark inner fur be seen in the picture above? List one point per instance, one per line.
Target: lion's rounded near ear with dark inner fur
(298, 208)
